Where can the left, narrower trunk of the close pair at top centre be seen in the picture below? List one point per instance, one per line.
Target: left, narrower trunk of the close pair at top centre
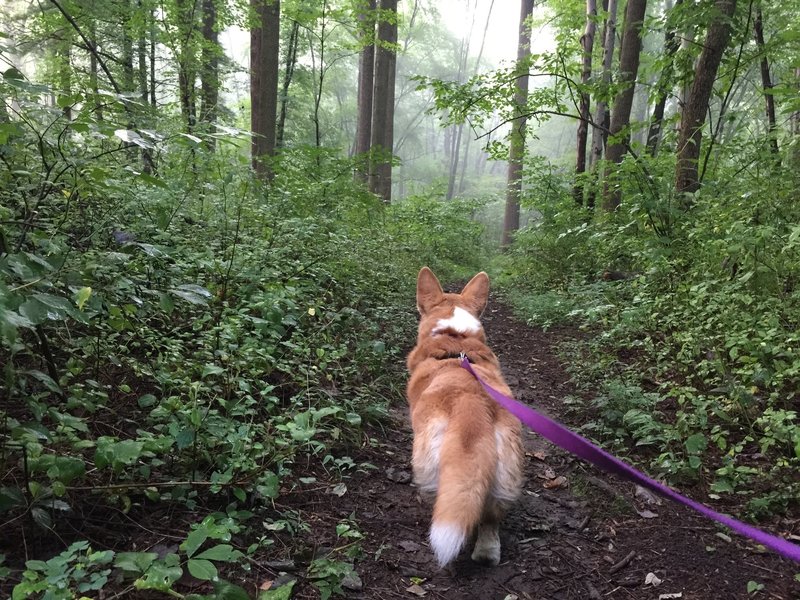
(366, 73)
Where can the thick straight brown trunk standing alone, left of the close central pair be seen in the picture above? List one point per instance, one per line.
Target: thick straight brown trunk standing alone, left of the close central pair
(264, 60)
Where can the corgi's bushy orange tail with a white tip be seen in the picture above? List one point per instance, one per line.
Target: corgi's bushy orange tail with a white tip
(466, 474)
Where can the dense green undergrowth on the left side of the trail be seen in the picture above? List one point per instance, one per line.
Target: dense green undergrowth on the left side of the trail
(189, 329)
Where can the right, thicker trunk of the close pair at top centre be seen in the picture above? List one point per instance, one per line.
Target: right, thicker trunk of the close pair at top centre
(380, 171)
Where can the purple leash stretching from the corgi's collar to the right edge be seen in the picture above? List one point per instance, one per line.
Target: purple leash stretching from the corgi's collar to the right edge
(580, 446)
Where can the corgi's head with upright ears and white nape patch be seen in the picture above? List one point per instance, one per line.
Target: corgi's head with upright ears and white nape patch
(455, 314)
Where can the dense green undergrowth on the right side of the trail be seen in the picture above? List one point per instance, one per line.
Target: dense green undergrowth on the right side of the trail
(695, 312)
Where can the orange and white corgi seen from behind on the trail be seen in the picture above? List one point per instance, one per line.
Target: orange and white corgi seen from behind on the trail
(467, 451)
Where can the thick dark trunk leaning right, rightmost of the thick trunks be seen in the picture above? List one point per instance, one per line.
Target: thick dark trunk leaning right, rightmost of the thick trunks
(694, 112)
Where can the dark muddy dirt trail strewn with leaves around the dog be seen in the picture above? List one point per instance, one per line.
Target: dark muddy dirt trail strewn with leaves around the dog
(586, 536)
